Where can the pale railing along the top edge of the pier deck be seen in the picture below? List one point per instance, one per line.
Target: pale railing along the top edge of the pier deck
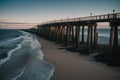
(89, 18)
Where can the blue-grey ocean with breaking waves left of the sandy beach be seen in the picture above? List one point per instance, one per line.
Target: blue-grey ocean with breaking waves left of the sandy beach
(21, 57)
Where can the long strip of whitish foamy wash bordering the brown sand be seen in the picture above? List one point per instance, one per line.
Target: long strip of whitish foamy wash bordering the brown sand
(37, 68)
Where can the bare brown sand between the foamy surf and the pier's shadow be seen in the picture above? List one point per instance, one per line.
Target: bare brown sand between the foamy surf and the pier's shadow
(70, 66)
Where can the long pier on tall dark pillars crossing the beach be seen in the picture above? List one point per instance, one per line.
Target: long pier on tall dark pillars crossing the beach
(67, 31)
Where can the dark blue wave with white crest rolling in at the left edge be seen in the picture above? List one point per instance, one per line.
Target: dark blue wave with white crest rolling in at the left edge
(9, 46)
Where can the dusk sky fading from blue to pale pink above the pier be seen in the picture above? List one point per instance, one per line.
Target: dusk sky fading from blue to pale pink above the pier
(38, 11)
